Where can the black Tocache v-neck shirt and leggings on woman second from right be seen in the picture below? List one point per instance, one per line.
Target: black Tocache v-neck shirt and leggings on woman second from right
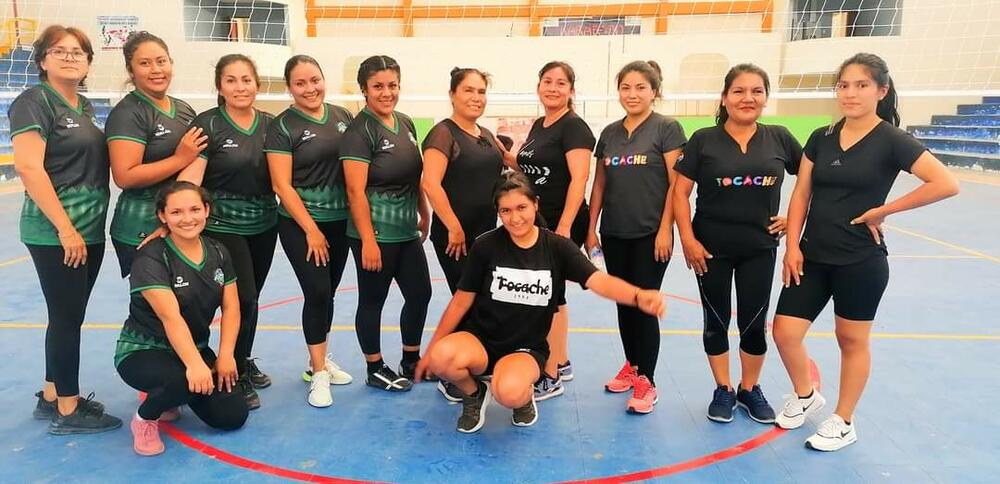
(738, 193)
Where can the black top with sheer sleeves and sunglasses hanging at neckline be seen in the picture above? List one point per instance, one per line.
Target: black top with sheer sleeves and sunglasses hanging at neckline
(473, 167)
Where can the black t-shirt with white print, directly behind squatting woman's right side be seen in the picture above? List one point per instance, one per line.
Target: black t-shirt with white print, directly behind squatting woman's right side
(543, 159)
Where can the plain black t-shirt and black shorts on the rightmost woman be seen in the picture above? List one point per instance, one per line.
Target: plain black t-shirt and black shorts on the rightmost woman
(843, 261)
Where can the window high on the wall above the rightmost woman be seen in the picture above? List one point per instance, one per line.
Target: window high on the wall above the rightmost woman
(821, 19)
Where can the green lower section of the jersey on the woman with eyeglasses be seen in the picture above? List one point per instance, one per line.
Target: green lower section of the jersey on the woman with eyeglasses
(86, 207)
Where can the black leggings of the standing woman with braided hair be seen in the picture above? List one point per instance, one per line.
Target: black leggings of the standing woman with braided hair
(406, 263)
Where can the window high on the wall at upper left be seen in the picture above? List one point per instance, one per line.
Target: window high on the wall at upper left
(236, 21)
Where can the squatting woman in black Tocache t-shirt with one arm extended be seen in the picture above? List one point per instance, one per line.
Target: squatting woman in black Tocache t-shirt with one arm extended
(512, 283)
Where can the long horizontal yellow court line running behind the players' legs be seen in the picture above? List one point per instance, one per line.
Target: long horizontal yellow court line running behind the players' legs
(582, 330)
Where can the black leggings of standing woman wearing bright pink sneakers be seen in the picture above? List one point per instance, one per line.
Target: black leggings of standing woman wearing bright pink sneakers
(633, 261)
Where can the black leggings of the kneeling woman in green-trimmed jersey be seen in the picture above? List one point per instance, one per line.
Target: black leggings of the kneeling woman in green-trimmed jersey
(163, 376)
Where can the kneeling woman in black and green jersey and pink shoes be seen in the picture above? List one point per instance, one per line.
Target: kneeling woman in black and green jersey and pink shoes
(177, 284)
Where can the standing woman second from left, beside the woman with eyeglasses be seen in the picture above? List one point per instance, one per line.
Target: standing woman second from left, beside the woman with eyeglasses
(148, 140)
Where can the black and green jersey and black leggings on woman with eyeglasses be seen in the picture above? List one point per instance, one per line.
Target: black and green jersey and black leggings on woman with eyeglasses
(76, 162)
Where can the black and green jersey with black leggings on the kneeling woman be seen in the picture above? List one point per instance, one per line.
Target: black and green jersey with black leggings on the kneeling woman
(144, 357)
